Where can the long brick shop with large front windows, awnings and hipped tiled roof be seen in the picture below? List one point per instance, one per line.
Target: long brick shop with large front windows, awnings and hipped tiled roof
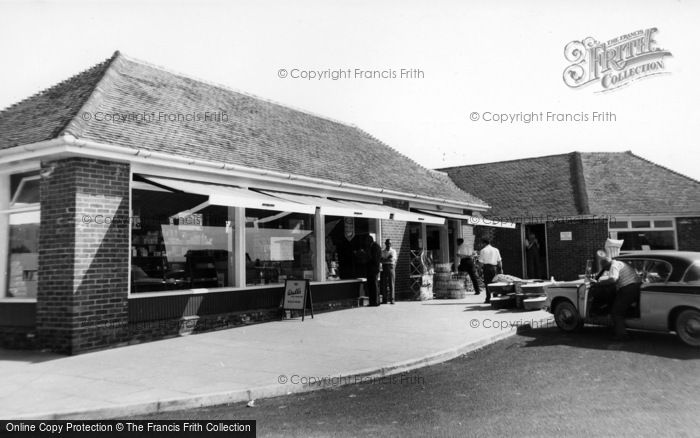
(135, 201)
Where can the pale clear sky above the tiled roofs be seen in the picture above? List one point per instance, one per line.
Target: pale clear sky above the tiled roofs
(469, 59)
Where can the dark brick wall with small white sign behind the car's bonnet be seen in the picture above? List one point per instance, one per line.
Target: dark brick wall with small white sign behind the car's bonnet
(567, 258)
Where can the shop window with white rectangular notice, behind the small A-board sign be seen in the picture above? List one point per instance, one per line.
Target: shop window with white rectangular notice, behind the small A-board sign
(279, 246)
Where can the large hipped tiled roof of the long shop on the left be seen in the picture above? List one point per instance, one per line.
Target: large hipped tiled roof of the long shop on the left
(257, 133)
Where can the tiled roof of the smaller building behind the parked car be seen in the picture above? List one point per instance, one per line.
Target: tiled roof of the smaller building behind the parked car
(582, 183)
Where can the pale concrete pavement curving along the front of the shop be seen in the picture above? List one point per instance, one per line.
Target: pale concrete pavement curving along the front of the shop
(251, 362)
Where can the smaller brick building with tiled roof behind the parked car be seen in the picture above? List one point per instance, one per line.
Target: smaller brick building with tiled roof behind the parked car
(574, 202)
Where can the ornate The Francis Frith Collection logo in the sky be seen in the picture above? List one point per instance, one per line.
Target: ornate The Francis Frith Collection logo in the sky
(616, 62)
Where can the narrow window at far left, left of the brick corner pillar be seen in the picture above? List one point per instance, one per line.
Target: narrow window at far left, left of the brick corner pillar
(23, 236)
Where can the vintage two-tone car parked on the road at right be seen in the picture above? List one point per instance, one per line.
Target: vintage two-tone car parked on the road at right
(669, 299)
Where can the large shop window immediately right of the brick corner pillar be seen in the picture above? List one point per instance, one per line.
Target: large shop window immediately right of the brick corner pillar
(175, 246)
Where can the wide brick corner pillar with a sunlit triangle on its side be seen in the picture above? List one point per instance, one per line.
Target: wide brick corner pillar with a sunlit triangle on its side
(83, 255)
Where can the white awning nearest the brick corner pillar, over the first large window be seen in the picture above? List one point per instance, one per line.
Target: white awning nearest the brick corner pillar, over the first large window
(232, 196)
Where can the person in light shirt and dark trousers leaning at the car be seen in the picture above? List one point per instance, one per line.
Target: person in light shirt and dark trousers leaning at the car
(628, 285)
